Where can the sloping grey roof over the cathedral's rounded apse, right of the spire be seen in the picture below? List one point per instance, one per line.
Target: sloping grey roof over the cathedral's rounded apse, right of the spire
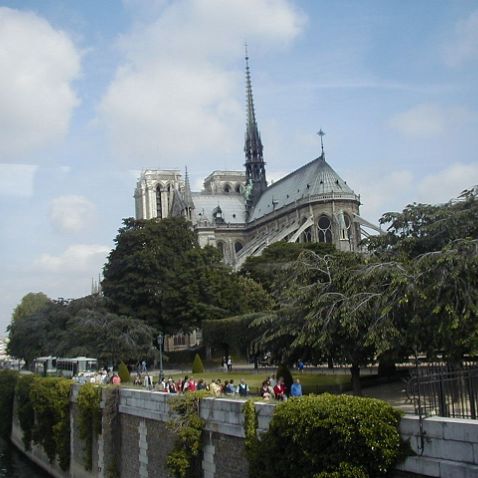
(313, 181)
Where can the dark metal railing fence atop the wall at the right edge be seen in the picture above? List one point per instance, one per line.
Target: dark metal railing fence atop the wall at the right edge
(442, 391)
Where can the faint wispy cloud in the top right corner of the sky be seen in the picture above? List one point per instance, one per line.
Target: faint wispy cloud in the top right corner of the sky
(464, 46)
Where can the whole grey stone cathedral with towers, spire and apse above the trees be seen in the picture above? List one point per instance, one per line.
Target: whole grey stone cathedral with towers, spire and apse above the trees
(241, 214)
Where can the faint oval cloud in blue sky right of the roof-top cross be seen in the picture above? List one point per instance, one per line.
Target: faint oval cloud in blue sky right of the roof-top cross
(428, 120)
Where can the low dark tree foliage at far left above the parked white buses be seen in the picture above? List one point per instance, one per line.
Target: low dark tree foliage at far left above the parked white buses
(80, 327)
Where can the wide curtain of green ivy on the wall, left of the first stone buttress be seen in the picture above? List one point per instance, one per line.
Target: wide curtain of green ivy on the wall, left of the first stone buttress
(50, 398)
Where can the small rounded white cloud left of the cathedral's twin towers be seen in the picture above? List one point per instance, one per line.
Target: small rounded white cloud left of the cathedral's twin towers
(72, 213)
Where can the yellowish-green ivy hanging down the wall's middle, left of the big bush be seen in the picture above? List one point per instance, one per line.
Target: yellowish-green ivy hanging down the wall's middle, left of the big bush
(188, 427)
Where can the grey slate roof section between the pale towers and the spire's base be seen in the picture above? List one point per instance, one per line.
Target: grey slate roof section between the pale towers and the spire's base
(232, 207)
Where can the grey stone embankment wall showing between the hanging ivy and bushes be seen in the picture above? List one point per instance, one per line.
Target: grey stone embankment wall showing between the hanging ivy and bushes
(139, 443)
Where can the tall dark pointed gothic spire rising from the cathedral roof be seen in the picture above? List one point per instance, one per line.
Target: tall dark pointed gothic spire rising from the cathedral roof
(255, 166)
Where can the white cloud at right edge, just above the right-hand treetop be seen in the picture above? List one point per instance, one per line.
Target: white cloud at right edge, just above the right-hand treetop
(448, 183)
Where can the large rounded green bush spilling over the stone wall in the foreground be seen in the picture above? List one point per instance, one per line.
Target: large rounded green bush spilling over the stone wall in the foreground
(339, 435)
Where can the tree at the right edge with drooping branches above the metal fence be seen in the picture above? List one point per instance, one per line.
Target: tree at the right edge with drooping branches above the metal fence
(430, 258)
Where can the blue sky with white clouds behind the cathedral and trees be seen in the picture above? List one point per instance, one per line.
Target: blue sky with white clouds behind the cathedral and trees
(92, 92)
